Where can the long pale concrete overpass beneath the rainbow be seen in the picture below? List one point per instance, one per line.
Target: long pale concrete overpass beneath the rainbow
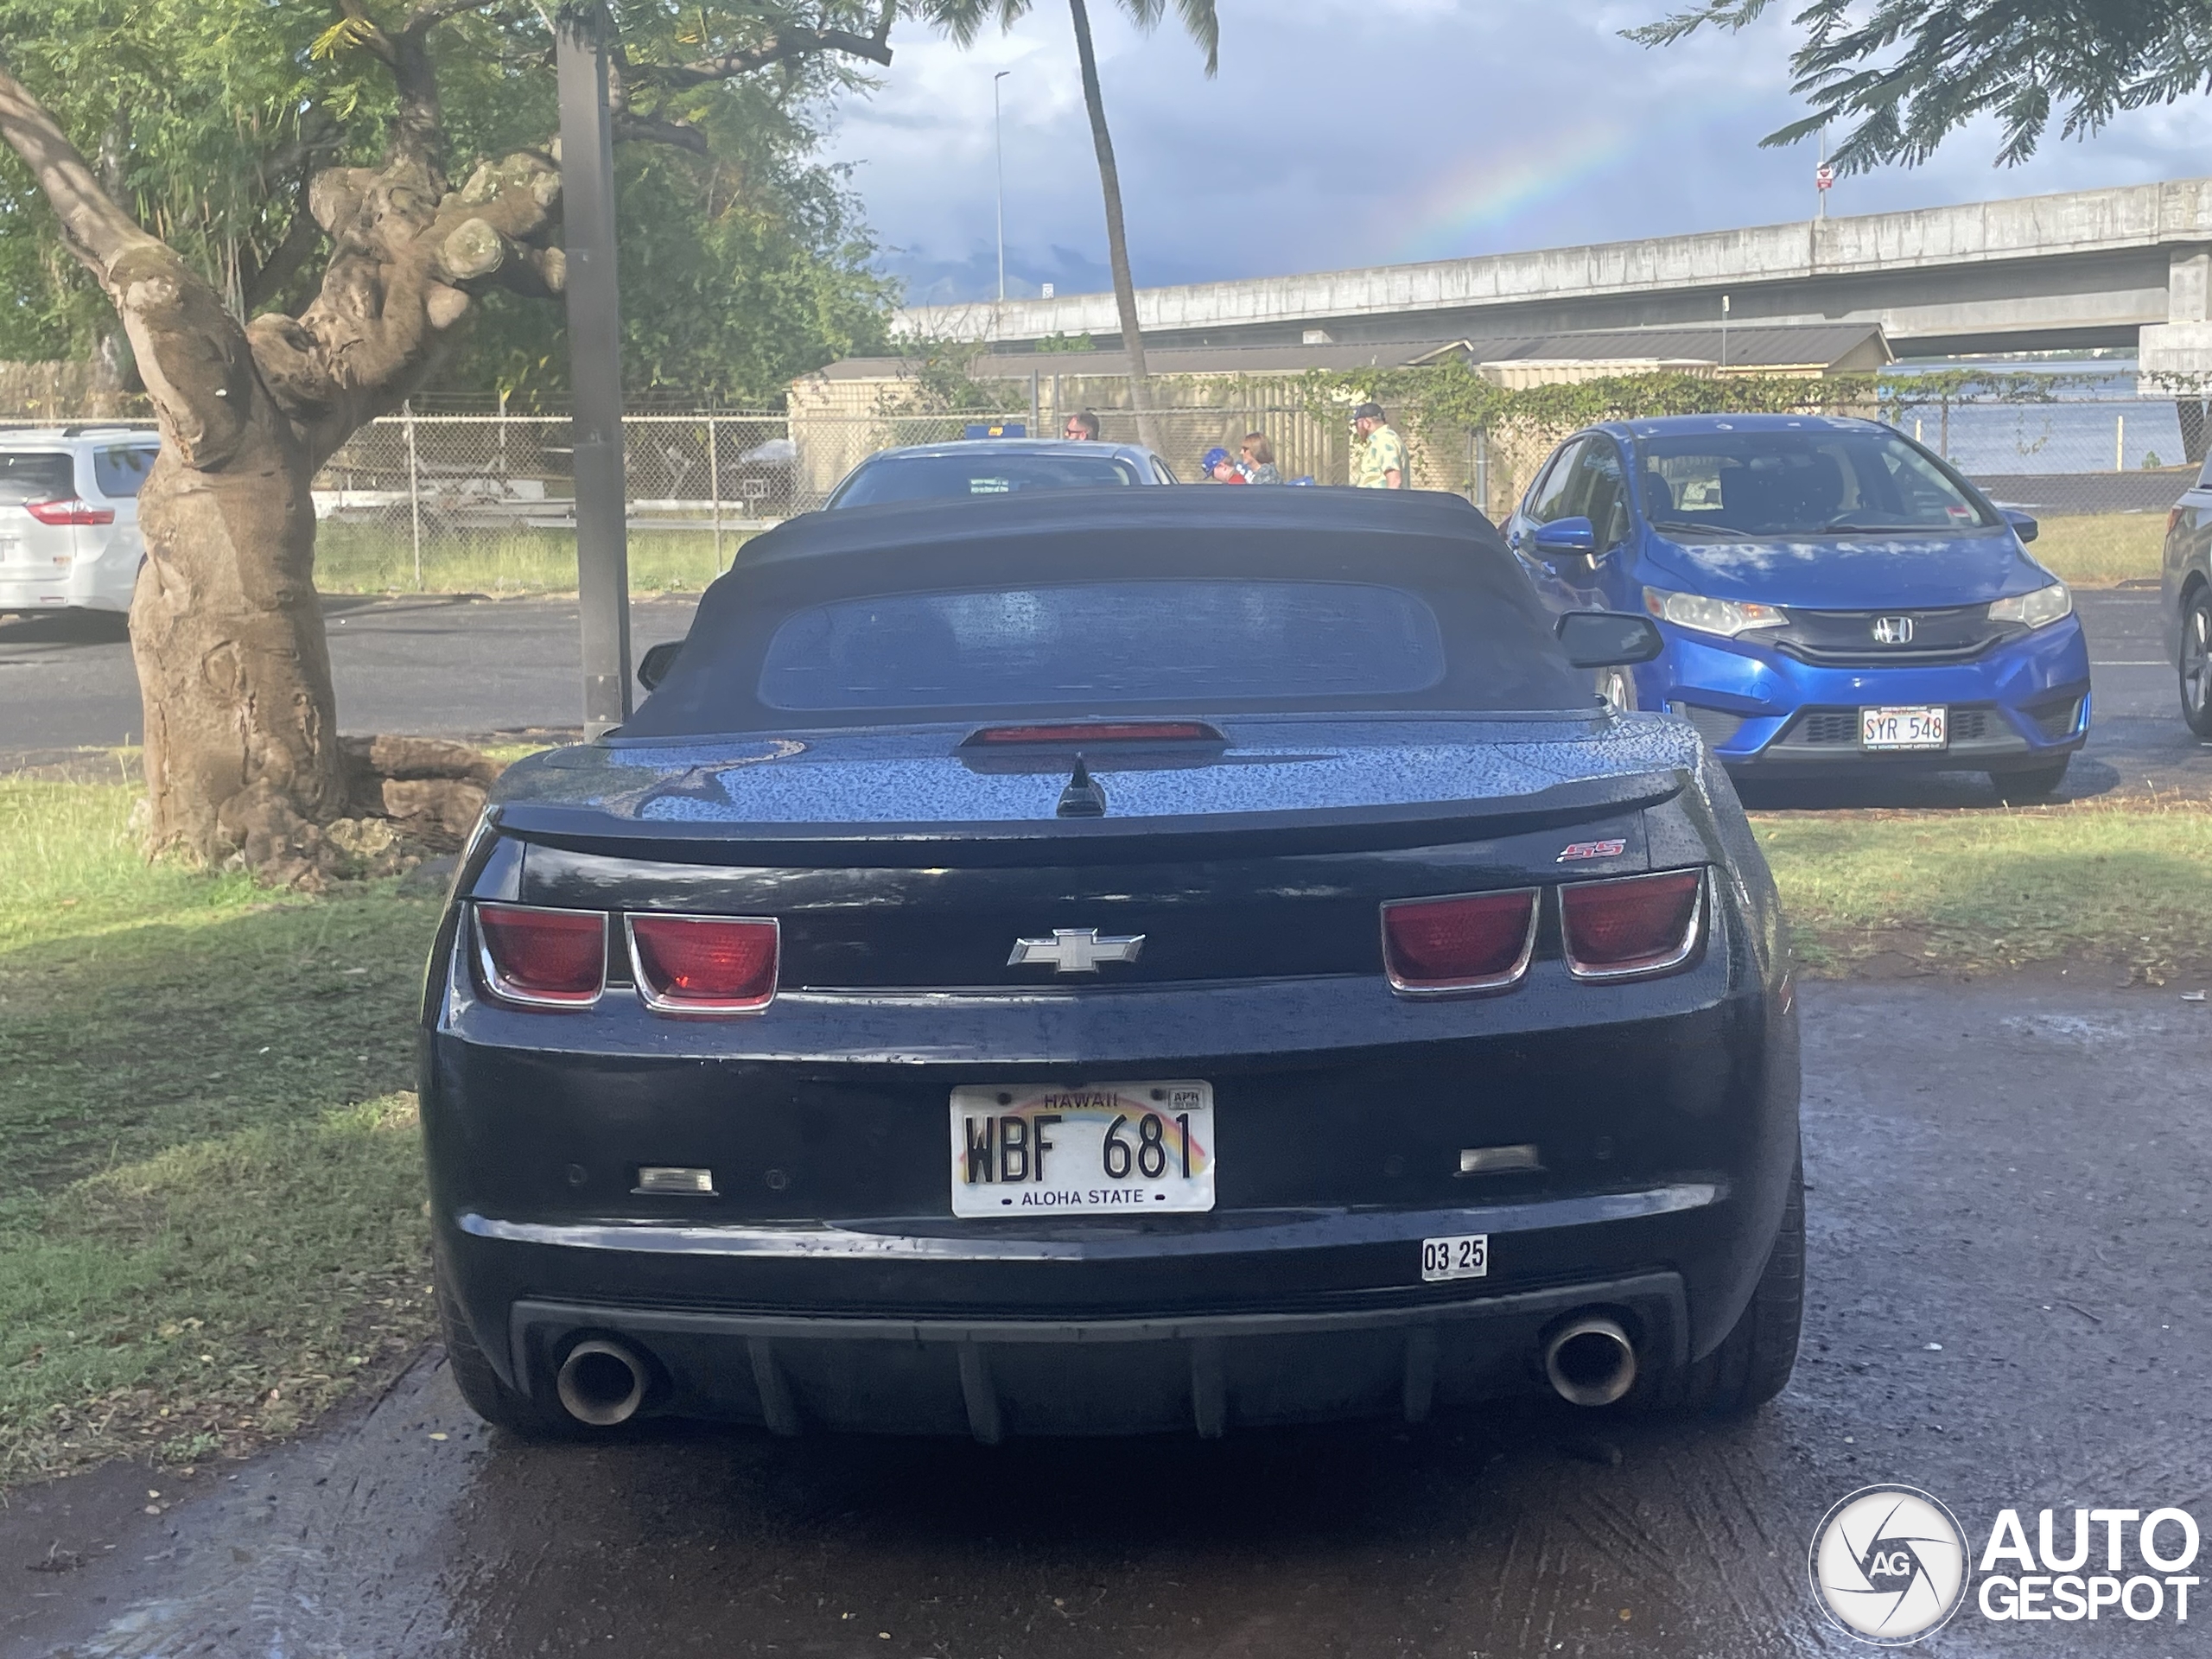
(2094, 269)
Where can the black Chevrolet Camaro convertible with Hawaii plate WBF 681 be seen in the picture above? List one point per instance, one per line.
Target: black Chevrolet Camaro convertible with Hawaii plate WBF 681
(1118, 961)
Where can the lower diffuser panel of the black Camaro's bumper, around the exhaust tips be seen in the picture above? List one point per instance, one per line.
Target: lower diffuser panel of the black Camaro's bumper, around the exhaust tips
(994, 1379)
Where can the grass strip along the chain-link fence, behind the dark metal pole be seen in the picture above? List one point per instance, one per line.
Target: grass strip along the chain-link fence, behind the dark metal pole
(375, 559)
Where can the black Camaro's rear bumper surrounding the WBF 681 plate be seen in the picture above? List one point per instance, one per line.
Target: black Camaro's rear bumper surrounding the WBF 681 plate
(824, 1277)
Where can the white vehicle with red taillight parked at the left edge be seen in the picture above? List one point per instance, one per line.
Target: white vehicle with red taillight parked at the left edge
(70, 534)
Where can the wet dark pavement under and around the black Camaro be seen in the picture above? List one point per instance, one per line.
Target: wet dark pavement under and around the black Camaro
(2016, 1173)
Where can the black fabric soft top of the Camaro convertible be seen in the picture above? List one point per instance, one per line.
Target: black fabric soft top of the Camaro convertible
(1426, 552)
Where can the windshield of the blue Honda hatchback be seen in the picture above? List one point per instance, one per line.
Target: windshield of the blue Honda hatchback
(1797, 483)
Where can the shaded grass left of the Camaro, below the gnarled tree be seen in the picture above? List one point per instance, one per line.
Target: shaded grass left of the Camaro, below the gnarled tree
(211, 1213)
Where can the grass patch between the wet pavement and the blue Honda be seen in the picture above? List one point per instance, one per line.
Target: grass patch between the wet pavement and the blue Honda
(1999, 890)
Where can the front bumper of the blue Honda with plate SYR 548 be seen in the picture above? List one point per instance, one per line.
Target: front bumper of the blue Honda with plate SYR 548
(2021, 707)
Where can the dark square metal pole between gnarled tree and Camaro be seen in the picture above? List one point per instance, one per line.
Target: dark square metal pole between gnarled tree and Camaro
(587, 169)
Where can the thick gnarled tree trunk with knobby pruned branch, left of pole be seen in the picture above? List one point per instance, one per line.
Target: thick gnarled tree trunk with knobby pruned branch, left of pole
(242, 738)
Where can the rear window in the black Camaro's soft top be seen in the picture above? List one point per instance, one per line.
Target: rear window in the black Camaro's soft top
(1112, 643)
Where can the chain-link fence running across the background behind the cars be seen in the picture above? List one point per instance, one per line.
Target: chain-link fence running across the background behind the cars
(486, 503)
